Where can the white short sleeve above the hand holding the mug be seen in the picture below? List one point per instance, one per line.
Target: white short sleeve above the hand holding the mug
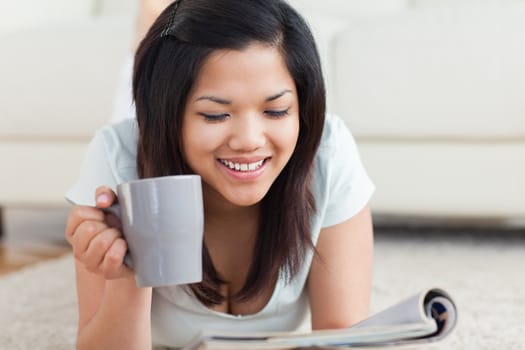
(95, 171)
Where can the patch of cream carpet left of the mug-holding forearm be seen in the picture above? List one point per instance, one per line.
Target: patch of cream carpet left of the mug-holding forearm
(38, 307)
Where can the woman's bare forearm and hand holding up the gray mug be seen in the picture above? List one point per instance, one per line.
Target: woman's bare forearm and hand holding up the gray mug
(113, 312)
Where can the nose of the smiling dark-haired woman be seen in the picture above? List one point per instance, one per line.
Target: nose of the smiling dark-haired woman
(247, 133)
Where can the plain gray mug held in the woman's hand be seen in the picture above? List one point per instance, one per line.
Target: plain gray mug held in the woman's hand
(163, 224)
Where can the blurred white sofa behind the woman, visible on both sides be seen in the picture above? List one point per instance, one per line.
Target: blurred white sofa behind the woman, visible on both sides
(434, 92)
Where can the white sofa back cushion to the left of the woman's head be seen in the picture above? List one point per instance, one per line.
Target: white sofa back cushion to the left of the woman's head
(58, 81)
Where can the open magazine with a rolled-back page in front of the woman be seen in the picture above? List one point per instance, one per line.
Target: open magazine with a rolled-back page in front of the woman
(425, 317)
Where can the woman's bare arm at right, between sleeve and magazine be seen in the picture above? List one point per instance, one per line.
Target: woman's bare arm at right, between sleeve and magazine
(340, 279)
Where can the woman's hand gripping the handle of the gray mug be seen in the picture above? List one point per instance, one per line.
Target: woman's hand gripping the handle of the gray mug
(96, 238)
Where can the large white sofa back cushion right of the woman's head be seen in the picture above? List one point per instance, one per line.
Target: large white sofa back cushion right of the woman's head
(453, 74)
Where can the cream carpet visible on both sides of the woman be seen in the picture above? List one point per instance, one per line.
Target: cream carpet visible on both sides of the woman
(484, 273)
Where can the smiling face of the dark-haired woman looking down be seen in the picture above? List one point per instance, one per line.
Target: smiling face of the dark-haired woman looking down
(241, 123)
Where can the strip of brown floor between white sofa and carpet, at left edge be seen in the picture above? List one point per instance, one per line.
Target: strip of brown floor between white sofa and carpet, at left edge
(30, 236)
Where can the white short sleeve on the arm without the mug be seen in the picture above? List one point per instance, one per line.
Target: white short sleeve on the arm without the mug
(345, 185)
